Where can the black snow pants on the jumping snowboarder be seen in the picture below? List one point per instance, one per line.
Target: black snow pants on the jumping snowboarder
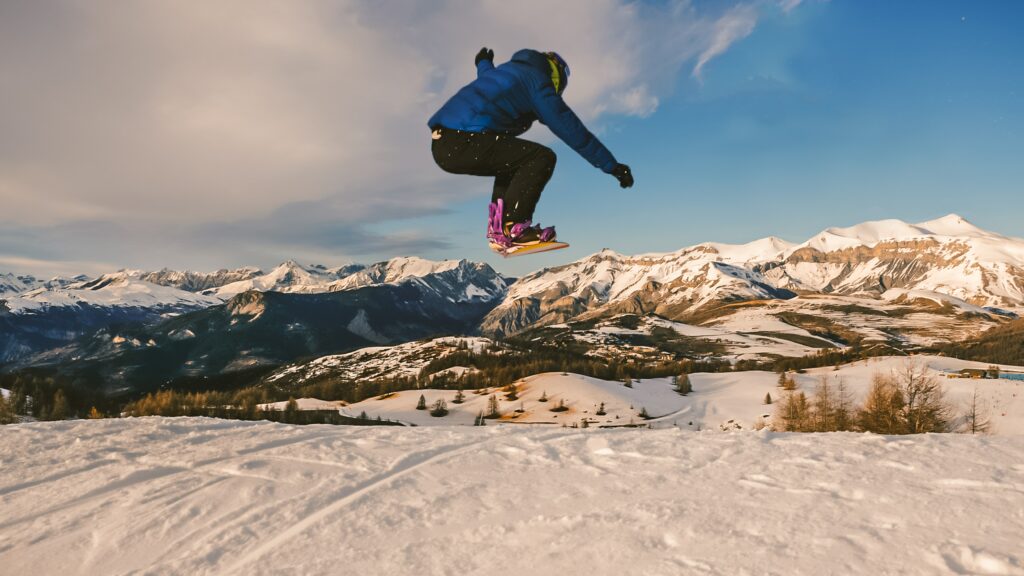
(521, 169)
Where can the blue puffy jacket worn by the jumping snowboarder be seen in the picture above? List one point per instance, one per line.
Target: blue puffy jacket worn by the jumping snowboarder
(508, 99)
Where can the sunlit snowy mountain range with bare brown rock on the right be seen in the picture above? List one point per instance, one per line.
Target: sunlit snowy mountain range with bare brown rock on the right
(947, 260)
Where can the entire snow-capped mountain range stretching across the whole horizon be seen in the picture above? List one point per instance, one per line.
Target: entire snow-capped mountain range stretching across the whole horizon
(889, 281)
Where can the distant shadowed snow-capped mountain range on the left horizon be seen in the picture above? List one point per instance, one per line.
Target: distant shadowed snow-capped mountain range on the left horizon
(55, 314)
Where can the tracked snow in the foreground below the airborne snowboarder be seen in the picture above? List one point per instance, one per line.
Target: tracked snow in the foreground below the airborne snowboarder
(201, 497)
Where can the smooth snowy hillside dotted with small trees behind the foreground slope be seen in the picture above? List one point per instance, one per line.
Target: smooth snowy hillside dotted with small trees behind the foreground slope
(719, 401)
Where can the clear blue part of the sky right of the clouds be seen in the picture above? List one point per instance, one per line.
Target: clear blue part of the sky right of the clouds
(835, 114)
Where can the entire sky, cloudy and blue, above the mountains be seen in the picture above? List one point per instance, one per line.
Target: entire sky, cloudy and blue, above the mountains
(205, 137)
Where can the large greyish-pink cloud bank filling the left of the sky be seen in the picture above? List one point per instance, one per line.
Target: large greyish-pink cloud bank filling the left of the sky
(154, 118)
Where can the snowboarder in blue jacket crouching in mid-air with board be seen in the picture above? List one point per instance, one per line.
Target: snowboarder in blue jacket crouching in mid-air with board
(476, 133)
